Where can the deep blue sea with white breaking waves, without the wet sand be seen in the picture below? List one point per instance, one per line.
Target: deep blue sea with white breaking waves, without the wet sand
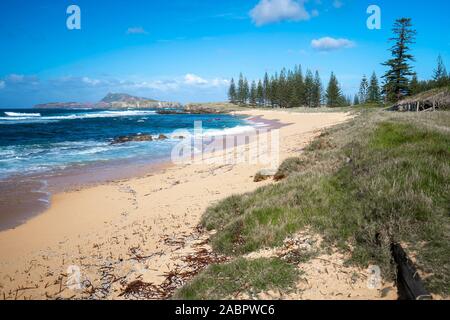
(35, 141)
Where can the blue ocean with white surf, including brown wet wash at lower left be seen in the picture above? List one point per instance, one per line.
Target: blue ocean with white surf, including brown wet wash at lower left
(38, 145)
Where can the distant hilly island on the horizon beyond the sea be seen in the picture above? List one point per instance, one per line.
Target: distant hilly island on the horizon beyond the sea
(113, 101)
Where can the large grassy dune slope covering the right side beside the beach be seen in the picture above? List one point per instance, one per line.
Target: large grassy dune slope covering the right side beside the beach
(383, 177)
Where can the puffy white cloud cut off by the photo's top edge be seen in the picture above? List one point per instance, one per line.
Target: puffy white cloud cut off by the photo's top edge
(270, 11)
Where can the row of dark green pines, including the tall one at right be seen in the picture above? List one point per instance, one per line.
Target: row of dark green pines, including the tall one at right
(292, 88)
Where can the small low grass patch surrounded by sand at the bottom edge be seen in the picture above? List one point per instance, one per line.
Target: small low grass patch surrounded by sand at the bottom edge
(239, 276)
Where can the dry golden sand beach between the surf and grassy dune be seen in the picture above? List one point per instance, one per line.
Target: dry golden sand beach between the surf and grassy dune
(143, 228)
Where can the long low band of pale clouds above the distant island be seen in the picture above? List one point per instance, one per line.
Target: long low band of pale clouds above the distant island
(88, 88)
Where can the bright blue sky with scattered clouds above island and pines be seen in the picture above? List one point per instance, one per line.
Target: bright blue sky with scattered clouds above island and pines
(186, 51)
